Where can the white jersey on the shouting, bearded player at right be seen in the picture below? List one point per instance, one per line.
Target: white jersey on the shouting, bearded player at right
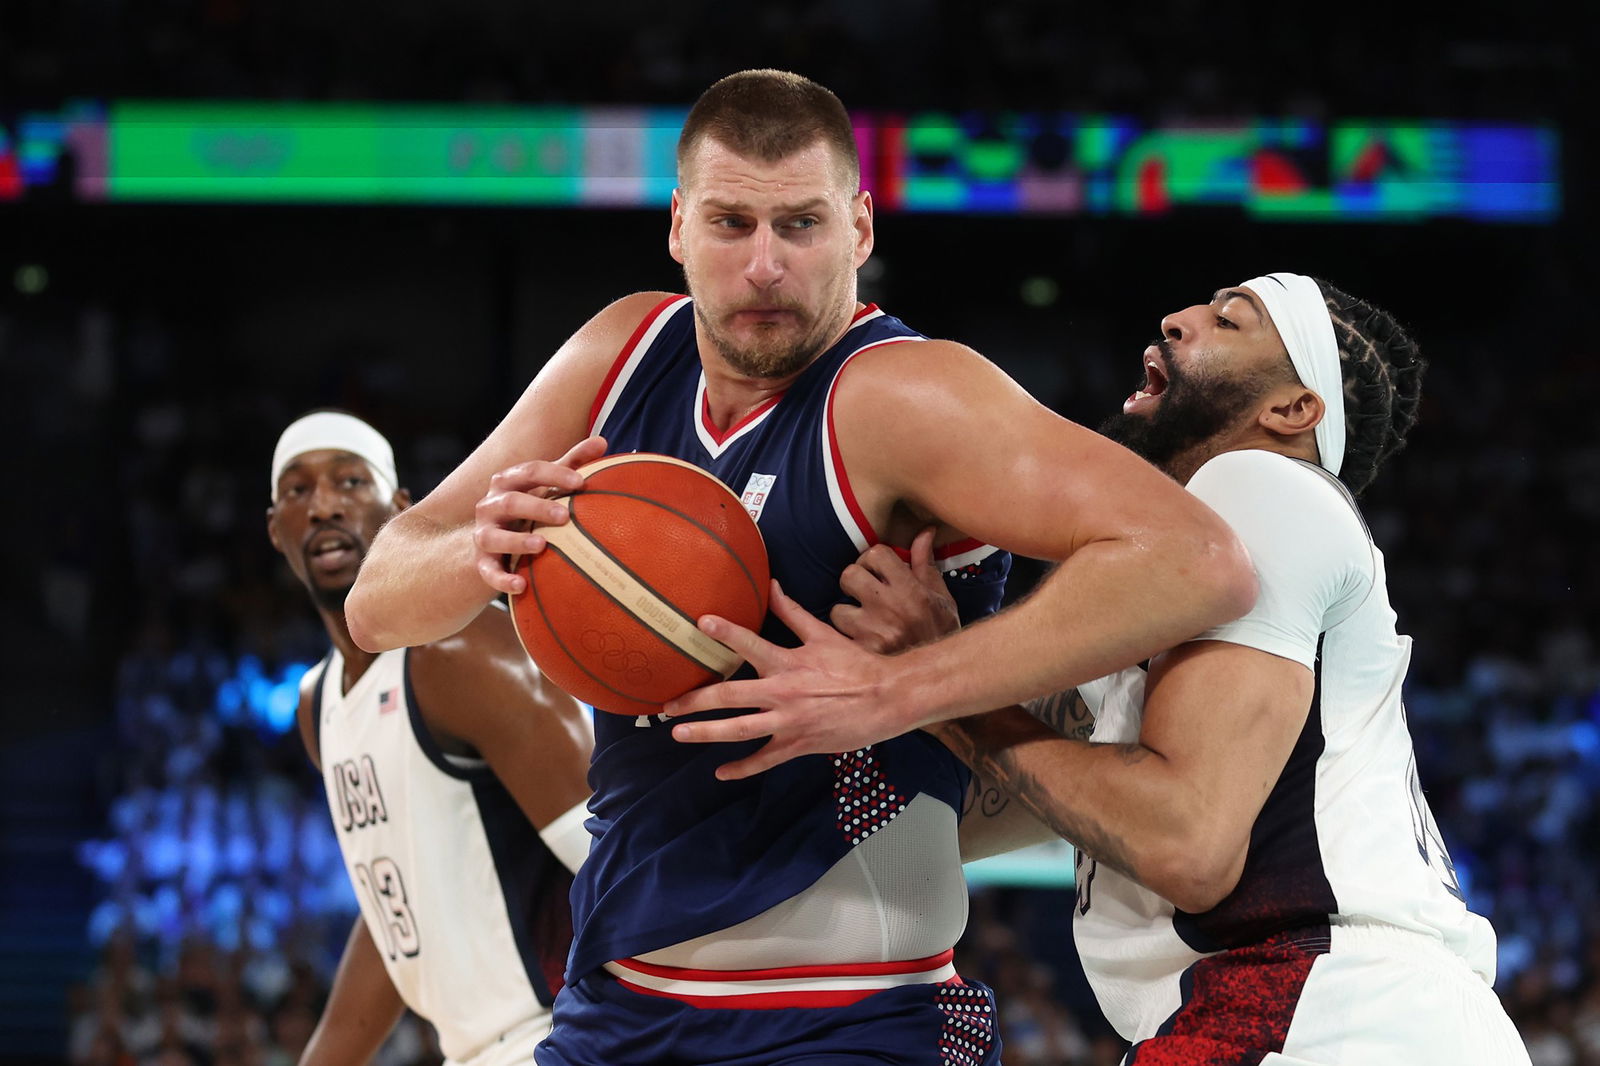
(1346, 835)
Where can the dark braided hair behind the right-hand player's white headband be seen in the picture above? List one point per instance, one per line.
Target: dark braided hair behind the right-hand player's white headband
(1383, 383)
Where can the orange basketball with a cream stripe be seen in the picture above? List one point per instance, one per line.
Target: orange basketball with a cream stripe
(610, 607)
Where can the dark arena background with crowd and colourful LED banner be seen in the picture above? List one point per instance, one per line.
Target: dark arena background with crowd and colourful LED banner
(218, 215)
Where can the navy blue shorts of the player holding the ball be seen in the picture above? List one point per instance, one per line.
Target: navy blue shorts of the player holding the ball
(601, 1024)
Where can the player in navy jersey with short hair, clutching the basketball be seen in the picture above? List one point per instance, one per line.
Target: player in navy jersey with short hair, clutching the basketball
(807, 915)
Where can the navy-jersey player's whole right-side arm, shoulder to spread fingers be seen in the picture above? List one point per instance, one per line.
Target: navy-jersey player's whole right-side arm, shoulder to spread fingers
(1145, 566)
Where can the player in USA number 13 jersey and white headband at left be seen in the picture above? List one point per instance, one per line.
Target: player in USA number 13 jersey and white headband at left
(455, 777)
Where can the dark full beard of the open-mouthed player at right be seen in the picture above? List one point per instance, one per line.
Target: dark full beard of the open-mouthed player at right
(1194, 409)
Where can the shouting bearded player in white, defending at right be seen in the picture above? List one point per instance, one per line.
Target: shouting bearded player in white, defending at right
(1260, 875)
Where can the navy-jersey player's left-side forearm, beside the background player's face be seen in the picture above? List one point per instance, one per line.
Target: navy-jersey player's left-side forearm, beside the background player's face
(418, 585)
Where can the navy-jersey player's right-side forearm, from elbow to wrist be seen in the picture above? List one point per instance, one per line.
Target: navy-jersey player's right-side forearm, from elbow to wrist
(1110, 606)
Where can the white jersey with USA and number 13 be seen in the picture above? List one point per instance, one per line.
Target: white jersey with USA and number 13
(465, 902)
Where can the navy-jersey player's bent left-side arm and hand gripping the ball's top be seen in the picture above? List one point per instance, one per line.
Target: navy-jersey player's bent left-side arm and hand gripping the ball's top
(428, 575)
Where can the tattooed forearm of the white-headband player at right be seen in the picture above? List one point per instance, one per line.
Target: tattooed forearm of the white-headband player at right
(1122, 804)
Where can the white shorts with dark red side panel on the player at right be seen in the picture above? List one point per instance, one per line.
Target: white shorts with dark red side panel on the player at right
(1369, 995)
